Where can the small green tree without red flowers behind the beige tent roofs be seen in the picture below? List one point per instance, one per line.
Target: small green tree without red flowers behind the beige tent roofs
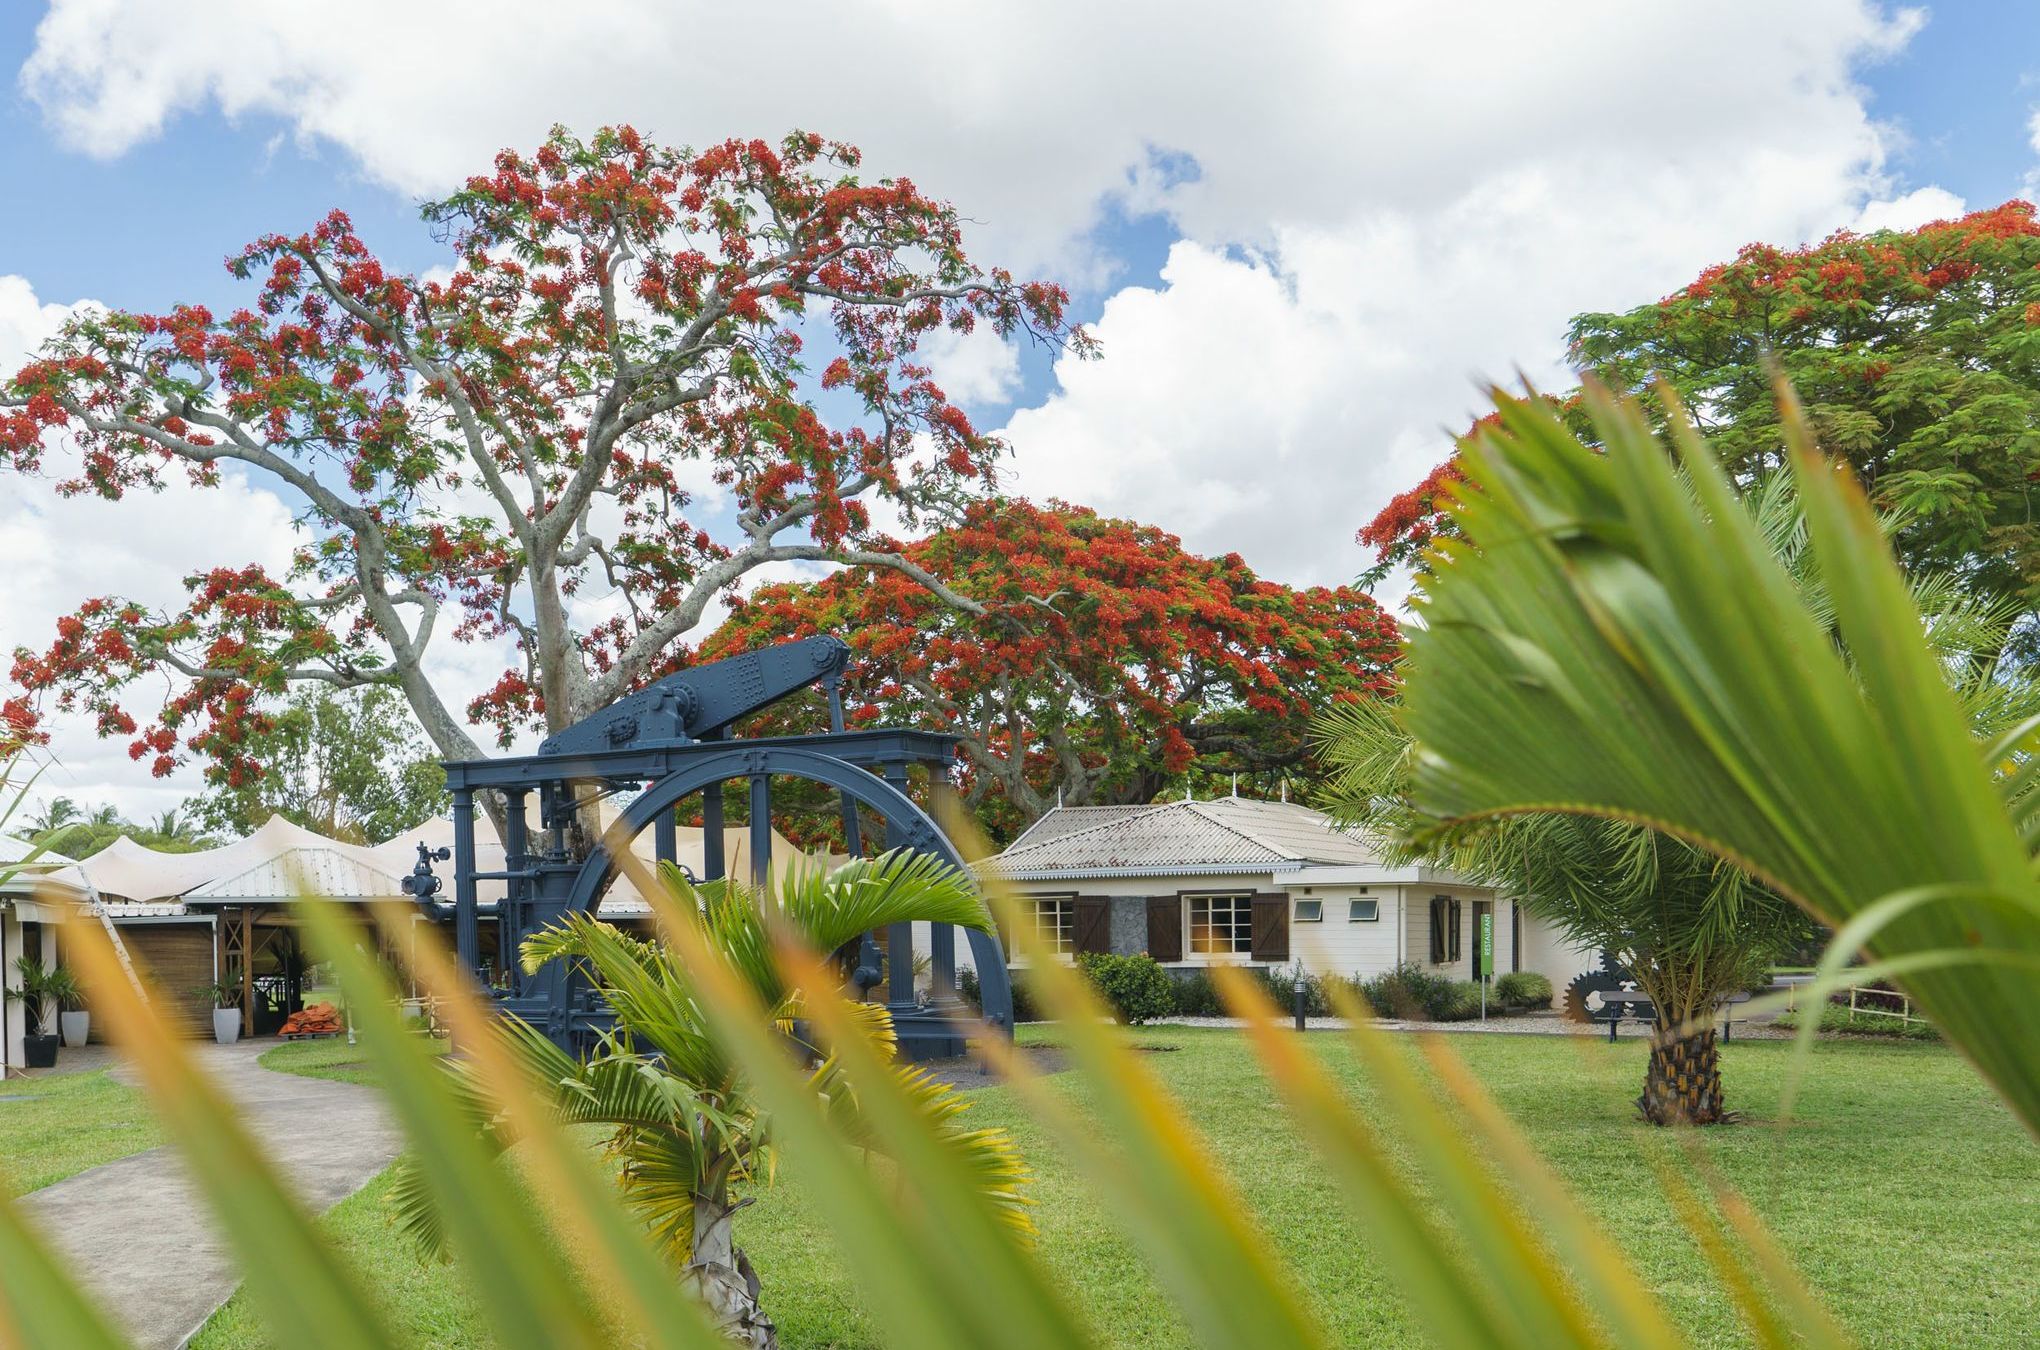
(350, 766)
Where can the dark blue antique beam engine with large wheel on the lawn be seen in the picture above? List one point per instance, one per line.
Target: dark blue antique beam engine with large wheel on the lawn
(674, 741)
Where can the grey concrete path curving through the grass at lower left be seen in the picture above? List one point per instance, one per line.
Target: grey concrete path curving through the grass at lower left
(142, 1239)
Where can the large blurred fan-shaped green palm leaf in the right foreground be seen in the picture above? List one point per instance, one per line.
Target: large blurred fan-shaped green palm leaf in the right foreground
(1615, 637)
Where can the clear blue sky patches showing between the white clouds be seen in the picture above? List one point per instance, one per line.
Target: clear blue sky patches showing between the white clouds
(150, 227)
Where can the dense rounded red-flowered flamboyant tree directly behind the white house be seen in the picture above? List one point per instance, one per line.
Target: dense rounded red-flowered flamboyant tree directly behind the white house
(1084, 656)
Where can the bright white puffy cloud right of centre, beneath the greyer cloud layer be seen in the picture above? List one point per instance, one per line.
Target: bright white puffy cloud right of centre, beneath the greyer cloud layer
(1272, 403)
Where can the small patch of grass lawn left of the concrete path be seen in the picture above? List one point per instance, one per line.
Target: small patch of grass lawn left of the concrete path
(60, 1125)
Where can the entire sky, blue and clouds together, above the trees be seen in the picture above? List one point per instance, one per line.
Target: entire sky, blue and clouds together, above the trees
(1300, 244)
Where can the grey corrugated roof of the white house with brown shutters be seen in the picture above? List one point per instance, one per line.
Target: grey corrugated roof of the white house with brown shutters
(1225, 835)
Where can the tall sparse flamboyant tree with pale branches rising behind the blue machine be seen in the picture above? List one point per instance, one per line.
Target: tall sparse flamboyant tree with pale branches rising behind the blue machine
(621, 329)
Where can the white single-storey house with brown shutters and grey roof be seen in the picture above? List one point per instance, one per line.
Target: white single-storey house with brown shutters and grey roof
(1239, 882)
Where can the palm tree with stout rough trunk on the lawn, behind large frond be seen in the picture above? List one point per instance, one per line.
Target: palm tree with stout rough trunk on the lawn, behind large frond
(1690, 927)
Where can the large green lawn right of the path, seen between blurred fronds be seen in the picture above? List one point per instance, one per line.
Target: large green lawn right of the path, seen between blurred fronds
(1902, 1188)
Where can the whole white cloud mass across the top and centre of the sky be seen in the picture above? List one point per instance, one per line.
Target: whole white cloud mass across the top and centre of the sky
(1374, 203)
